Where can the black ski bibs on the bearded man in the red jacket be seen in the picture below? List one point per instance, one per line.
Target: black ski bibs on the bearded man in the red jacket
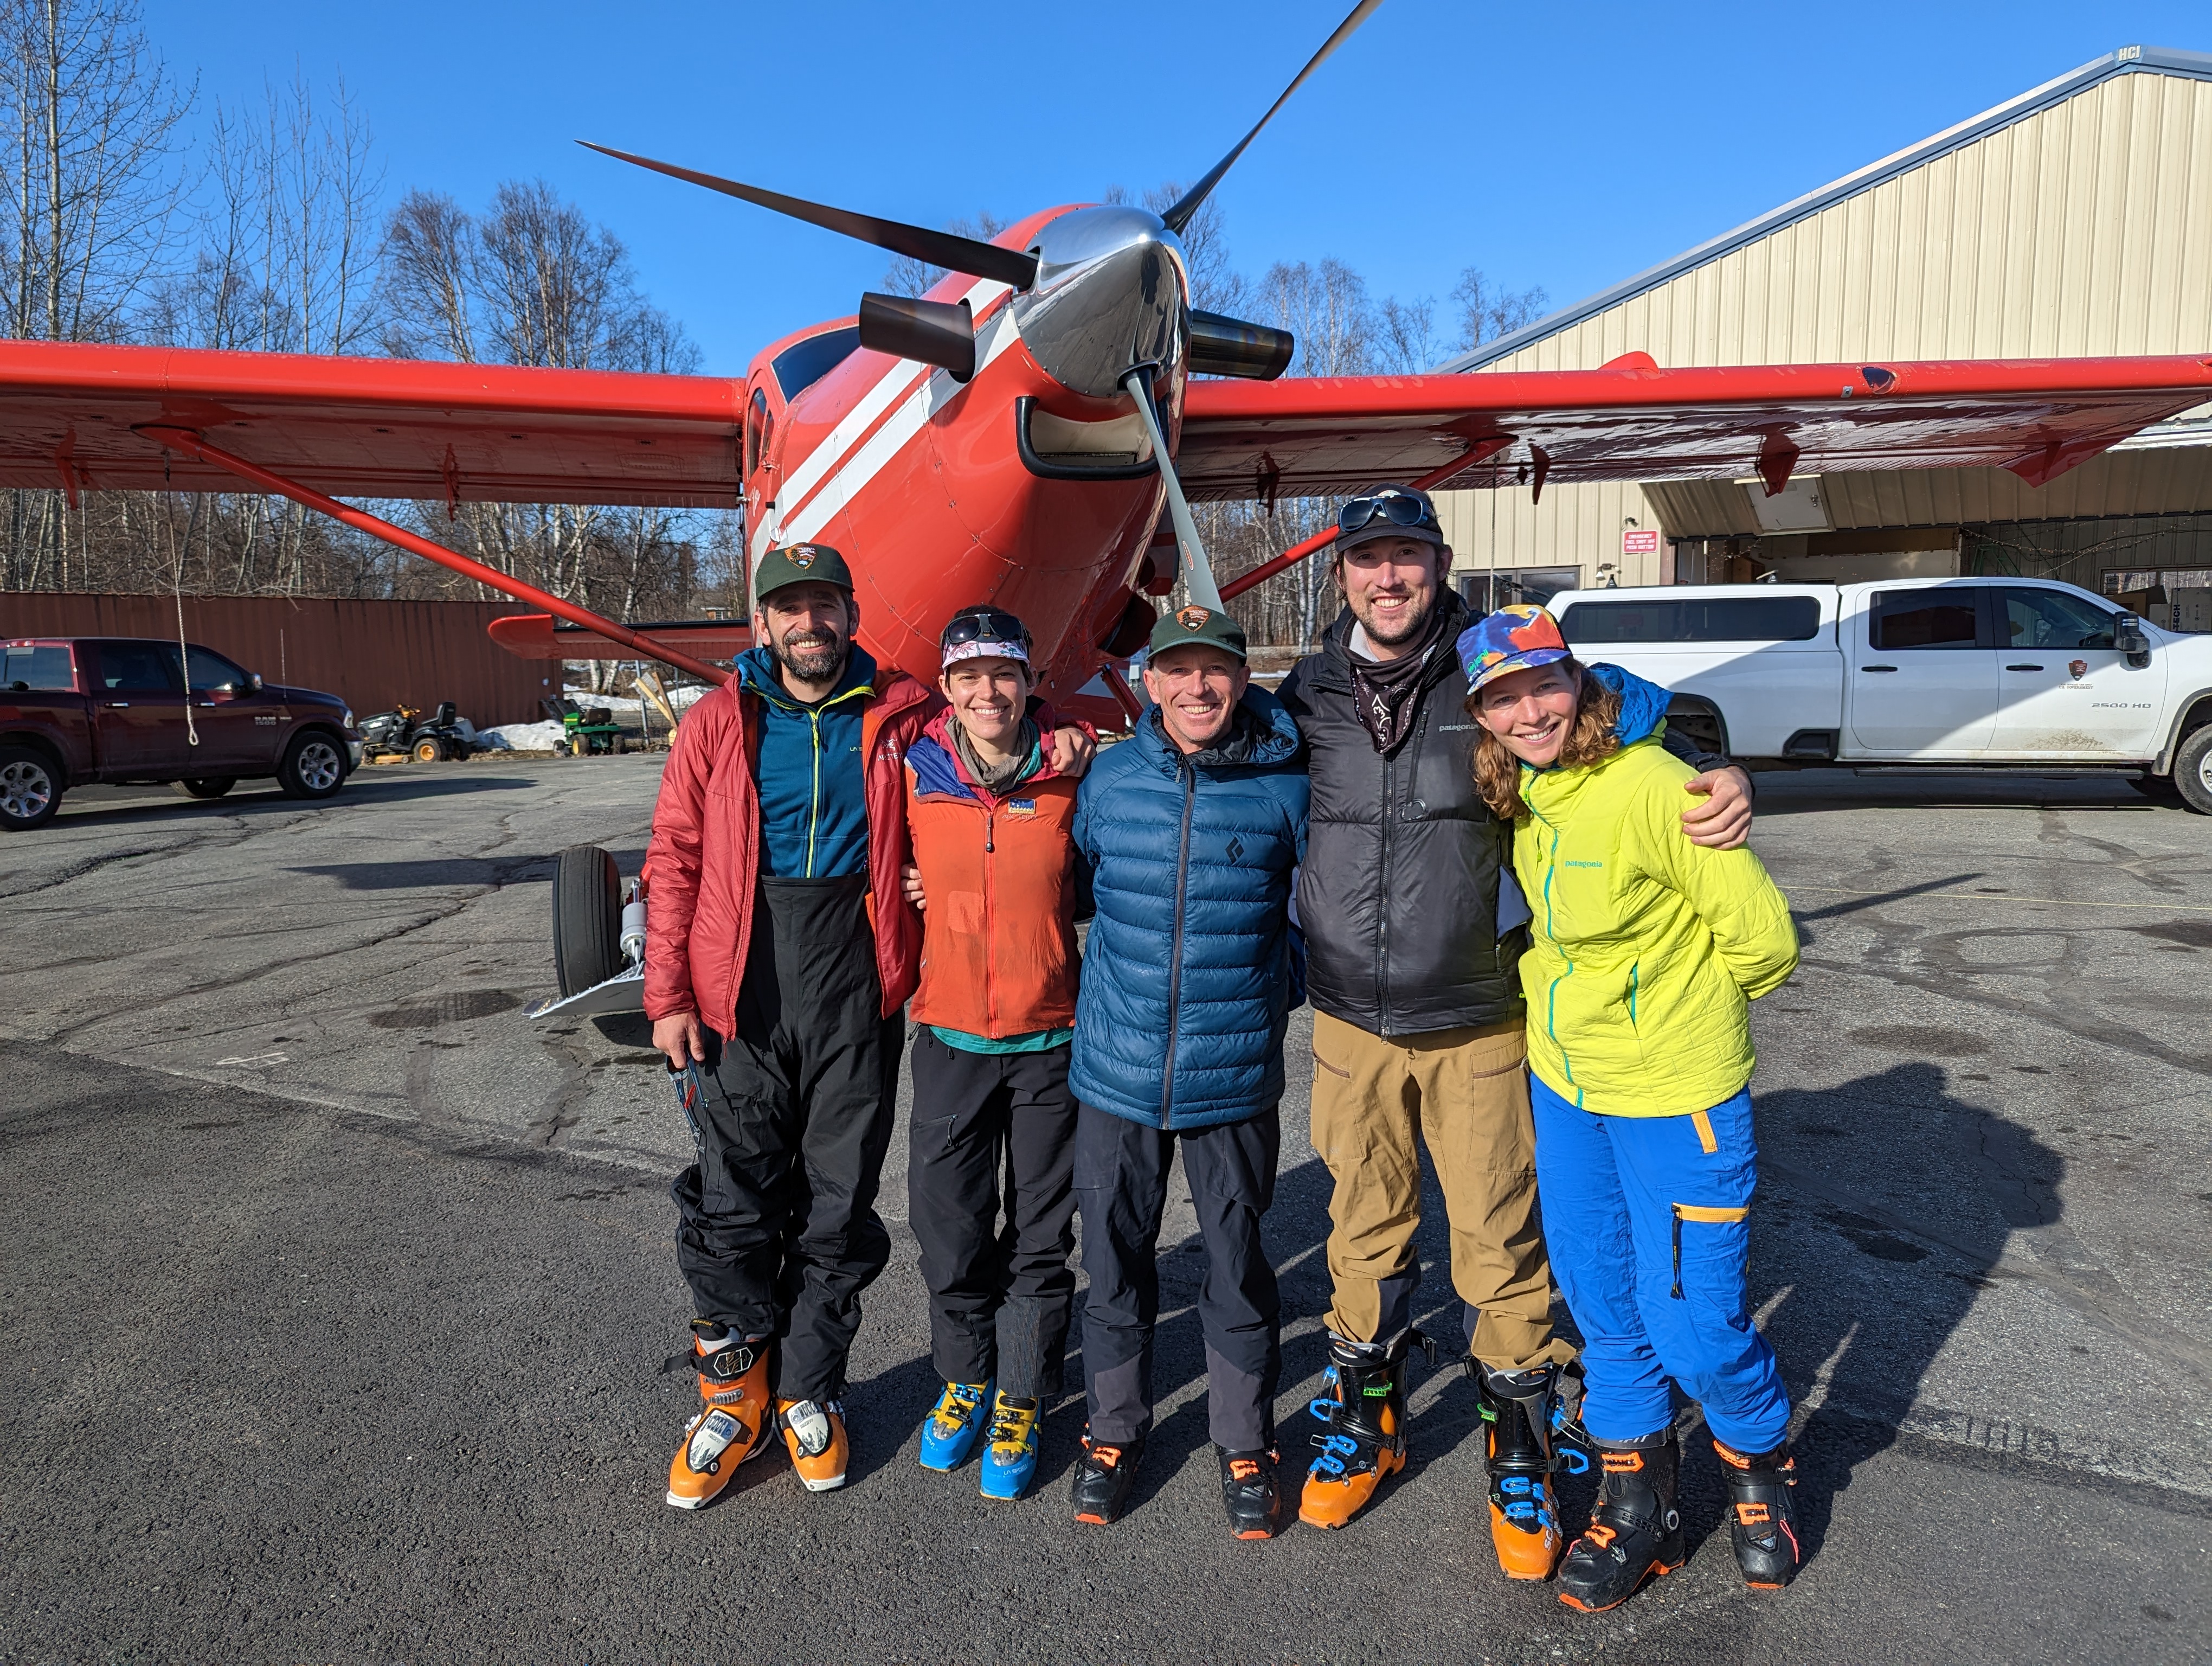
(778, 1225)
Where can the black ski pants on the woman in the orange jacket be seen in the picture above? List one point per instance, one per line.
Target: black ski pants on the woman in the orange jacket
(994, 1134)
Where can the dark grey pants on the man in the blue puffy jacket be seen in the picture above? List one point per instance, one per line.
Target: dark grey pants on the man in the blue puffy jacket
(1123, 1189)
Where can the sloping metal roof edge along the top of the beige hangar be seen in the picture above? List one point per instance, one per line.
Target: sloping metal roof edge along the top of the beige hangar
(2129, 61)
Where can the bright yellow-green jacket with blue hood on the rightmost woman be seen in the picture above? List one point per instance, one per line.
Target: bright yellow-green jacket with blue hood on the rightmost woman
(1645, 948)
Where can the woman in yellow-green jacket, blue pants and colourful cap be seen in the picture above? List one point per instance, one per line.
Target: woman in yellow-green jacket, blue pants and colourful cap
(1645, 955)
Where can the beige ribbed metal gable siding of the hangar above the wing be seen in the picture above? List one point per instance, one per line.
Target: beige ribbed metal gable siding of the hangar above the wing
(2080, 231)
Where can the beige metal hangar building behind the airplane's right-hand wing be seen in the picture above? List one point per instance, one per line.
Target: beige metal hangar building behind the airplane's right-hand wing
(2074, 220)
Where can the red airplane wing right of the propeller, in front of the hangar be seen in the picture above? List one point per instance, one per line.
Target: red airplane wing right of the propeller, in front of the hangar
(1634, 421)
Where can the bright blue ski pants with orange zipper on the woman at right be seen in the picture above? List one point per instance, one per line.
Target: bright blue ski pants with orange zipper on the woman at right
(1647, 1225)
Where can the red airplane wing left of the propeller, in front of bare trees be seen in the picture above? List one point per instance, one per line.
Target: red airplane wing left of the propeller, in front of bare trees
(368, 428)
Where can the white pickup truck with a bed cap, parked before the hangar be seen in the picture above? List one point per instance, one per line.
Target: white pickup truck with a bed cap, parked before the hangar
(1945, 674)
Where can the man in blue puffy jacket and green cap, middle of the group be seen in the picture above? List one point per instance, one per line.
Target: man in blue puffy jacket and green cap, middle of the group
(1193, 831)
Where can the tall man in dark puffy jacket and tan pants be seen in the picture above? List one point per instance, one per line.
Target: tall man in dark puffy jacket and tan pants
(1415, 933)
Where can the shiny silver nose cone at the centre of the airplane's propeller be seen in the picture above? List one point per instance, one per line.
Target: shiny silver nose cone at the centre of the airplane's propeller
(1112, 293)
